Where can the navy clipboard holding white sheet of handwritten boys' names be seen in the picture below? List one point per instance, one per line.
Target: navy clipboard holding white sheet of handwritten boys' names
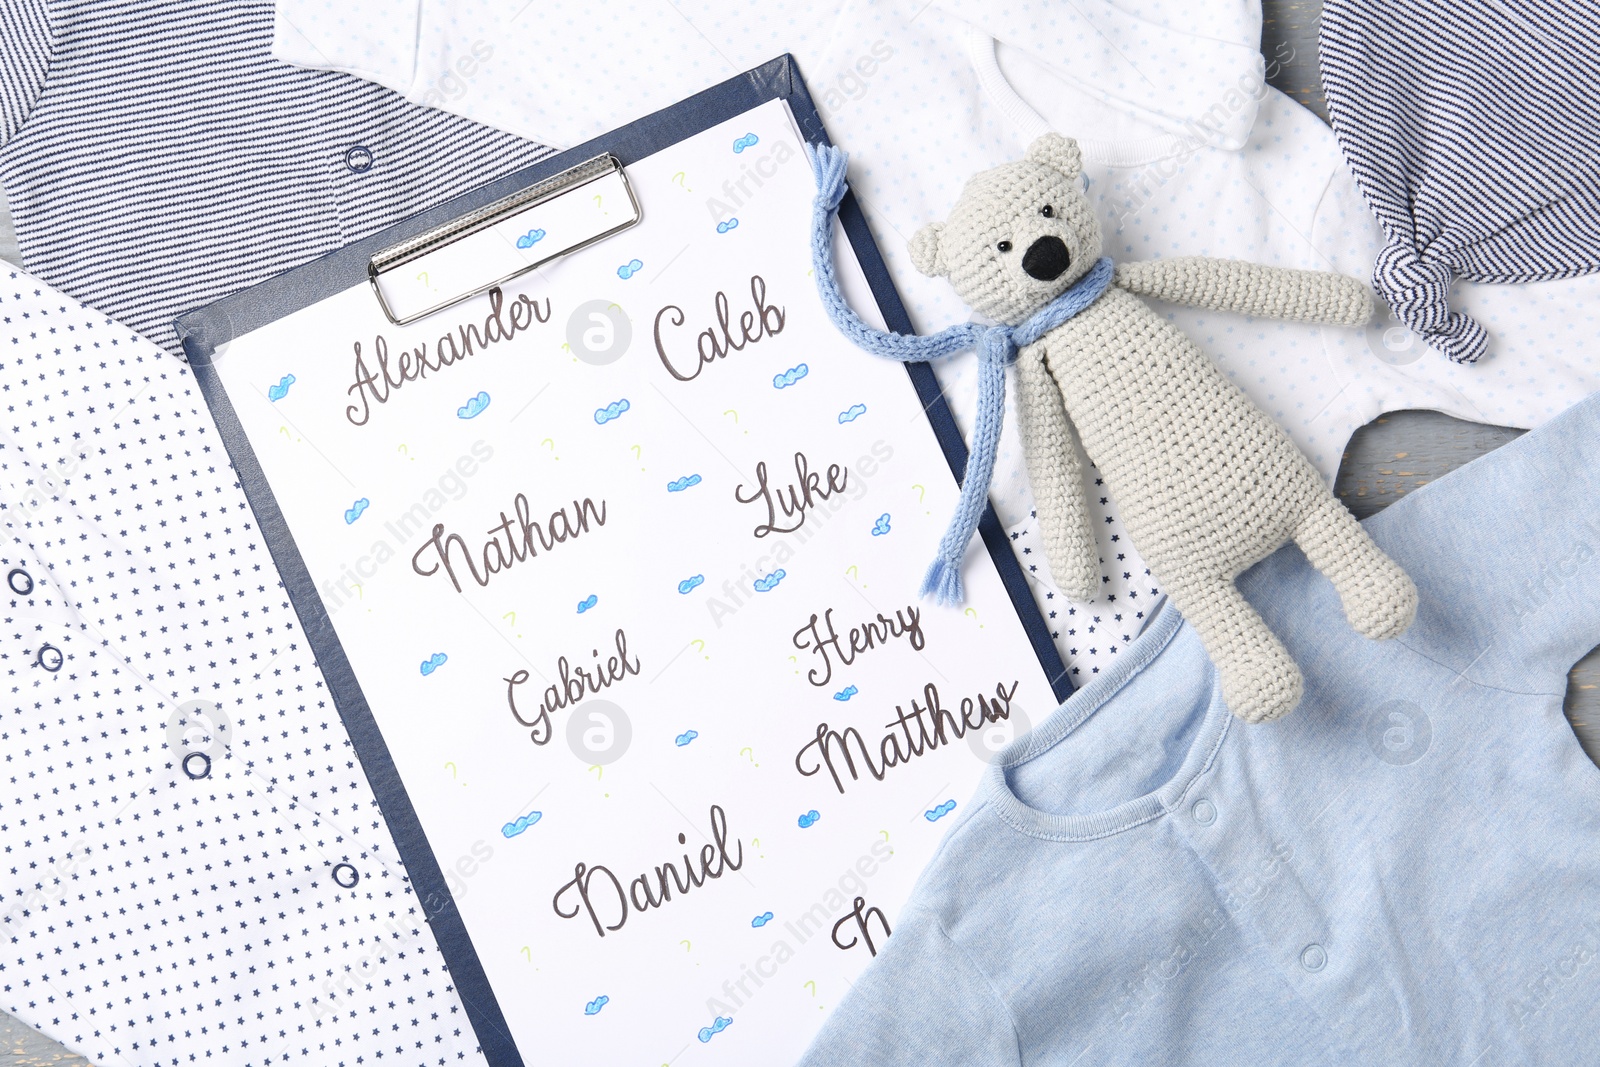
(518, 941)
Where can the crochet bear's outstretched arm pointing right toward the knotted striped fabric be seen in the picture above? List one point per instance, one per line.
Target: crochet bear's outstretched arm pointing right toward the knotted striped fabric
(1250, 289)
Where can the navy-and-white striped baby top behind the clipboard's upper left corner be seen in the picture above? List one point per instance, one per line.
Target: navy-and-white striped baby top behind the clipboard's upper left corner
(158, 158)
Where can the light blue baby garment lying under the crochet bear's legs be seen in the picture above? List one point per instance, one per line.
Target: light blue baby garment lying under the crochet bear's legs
(1406, 871)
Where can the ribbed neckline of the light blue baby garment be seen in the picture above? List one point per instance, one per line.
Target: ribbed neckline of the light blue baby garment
(1079, 708)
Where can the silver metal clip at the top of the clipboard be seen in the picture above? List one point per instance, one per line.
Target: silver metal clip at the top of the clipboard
(503, 241)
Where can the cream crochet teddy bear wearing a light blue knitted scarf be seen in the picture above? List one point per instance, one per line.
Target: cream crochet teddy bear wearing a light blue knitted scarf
(1209, 486)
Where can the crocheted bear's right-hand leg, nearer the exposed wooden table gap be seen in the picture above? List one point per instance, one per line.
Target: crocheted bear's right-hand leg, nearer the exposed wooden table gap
(1378, 597)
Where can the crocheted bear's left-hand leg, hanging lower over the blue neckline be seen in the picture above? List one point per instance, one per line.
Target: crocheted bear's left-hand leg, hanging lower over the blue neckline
(1260, 679)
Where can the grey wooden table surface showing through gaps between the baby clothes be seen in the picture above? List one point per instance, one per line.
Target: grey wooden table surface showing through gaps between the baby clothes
(1386, 460)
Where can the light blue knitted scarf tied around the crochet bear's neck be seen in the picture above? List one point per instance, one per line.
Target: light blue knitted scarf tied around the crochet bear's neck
(996, 348)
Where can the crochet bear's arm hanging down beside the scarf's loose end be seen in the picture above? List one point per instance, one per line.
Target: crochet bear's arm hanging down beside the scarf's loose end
(1057, 476)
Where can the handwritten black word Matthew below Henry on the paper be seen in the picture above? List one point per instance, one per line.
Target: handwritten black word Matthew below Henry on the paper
(935, 729)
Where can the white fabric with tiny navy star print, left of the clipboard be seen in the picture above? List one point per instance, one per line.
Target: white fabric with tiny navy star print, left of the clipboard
(178, 884)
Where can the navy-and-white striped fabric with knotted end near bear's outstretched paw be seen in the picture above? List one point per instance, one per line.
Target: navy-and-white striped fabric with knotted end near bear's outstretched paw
(1473, 132)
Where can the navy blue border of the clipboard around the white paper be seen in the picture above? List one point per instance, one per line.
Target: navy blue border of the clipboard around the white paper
(204, 332)
